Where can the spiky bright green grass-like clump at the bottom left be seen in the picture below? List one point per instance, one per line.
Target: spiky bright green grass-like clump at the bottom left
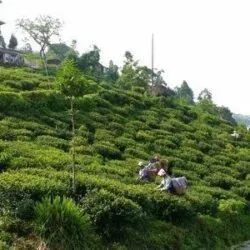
(61, 223)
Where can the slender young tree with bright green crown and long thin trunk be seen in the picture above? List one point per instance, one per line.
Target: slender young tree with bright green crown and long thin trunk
(72, 84)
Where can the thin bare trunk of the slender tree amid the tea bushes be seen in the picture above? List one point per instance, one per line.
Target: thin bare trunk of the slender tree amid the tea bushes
(73, 143)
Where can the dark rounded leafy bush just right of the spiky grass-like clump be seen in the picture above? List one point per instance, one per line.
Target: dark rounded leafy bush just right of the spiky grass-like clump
(112, 214)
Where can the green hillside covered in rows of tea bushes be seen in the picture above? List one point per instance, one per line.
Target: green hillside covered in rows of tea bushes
(115, 128)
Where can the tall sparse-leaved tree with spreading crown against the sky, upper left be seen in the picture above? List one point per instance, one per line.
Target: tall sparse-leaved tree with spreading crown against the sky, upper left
(41, 30)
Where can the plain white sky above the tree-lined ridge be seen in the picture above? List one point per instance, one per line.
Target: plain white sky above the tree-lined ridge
(205, 42)
